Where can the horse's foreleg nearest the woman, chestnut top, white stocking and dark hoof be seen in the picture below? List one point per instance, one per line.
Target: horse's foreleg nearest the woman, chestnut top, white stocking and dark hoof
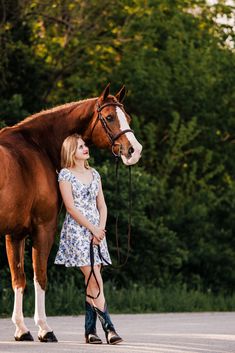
(42, 244)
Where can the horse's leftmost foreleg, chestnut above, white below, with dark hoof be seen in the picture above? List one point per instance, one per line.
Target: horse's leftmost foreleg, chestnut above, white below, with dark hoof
(15, 254)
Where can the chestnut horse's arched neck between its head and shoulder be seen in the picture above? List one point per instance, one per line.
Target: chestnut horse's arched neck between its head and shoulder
(49, 128)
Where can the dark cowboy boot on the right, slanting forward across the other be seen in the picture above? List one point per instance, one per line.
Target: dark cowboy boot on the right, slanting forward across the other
(111, 335)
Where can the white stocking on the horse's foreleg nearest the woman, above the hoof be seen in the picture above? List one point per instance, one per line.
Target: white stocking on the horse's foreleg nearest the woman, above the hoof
(40, 313)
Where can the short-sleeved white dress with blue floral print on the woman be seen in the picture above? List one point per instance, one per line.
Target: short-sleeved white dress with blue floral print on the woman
(74, 247)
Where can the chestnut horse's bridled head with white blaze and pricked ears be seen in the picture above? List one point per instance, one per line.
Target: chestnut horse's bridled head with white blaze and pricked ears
(110, 127)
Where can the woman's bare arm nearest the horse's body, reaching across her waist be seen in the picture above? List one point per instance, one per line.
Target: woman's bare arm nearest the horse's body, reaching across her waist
(66, 192)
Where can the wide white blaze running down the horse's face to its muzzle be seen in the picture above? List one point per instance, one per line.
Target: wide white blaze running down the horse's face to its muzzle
(131, 137)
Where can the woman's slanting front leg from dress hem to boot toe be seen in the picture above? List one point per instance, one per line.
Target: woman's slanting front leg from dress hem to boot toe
(99, 304)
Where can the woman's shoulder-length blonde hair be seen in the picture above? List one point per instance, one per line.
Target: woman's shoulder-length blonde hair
(68, 151)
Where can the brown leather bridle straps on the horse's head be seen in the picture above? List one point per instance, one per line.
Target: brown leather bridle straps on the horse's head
(111, 136)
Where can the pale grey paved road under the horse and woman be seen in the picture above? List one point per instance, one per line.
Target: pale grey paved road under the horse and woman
(158, 333)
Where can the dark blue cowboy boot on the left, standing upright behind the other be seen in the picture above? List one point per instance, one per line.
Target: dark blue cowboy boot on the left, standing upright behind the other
(90, 325)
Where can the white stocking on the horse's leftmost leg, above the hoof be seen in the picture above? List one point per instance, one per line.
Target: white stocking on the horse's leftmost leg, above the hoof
(17, 316)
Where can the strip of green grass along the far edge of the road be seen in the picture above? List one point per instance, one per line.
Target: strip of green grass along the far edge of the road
(68, 299)
